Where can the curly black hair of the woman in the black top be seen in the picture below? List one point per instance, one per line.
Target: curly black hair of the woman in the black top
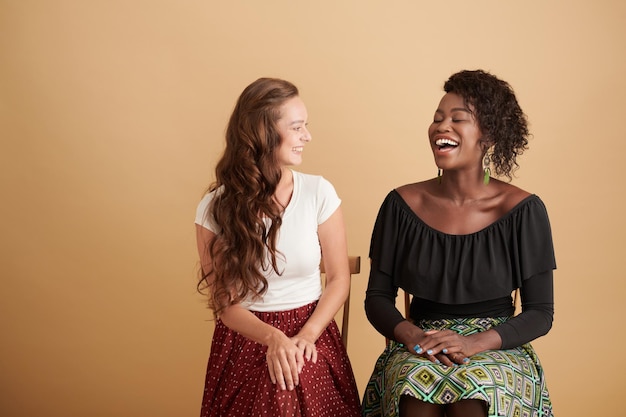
(495, 107)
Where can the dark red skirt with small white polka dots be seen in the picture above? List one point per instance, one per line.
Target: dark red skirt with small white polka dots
(238, 382)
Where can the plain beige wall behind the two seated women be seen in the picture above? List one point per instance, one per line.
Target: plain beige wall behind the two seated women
(111, 119)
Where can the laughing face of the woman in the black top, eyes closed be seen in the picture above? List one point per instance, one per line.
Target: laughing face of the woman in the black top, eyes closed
(455, 137)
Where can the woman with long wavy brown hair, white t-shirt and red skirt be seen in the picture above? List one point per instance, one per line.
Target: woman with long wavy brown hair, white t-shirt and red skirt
(261, 229)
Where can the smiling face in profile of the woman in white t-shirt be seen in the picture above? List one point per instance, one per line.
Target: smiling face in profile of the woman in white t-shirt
(292, 127)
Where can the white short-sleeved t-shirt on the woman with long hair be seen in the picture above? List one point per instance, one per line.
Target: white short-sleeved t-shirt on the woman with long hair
(313, 201)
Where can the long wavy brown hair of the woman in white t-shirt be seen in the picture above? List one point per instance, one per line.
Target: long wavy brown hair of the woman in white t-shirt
(244, 207)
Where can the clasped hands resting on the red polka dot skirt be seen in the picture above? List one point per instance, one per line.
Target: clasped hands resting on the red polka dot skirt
(286, 358)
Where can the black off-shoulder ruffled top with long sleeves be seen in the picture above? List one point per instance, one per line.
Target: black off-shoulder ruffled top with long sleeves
(469, 275)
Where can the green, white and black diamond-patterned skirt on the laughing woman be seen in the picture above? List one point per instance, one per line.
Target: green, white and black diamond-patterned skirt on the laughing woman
(510, 381)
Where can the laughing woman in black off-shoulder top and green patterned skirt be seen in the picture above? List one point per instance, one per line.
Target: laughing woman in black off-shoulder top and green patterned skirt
(462, 244)
